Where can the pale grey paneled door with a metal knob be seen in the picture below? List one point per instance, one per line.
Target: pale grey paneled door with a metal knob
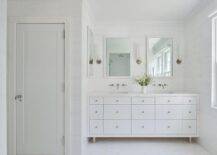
(40, 89)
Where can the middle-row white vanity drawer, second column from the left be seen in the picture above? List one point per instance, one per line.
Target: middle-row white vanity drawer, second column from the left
(117, 111)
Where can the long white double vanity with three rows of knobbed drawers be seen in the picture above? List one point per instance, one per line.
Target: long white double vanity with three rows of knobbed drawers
(143, 115)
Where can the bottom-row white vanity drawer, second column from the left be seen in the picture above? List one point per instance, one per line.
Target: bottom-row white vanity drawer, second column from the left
(117, 127)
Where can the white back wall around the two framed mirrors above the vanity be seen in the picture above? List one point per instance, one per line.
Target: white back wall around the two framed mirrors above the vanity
(138, 32)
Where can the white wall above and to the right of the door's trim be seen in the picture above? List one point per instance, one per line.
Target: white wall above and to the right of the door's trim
(63, 8)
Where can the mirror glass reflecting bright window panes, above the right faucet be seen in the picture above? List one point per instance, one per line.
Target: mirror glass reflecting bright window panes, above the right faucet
(159, 57)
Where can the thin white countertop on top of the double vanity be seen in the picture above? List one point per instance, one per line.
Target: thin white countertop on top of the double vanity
(139, 94)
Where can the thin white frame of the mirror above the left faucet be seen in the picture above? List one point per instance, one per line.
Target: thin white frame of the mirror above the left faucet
(105, 54)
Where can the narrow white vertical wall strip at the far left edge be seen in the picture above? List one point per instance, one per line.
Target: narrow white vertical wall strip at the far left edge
(3, 107)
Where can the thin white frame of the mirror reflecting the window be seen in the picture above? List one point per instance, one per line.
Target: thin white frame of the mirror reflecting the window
(172, 56)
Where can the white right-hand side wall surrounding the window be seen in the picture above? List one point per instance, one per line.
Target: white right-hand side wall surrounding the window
(198, 72)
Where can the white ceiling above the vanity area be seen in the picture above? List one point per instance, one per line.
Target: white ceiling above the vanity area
(144, 10)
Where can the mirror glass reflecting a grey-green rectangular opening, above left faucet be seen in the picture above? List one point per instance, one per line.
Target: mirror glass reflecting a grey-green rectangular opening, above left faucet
(118, 57)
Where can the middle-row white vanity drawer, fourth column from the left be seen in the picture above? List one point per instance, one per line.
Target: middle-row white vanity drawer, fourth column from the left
(168, 111)
